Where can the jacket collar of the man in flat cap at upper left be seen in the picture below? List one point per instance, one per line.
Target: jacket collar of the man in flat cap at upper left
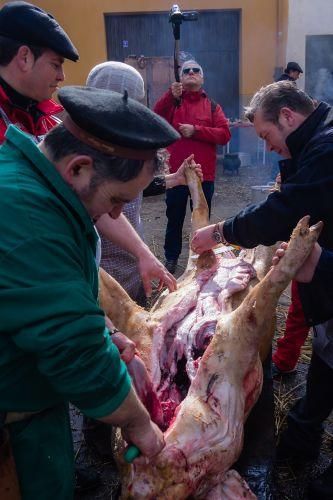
(14, 99)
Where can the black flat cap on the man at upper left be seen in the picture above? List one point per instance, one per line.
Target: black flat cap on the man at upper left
(26, 23)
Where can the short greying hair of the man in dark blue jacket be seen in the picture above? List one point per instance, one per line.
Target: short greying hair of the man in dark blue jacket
(273, 97)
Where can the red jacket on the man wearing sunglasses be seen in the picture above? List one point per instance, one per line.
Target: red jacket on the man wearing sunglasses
(211, 128)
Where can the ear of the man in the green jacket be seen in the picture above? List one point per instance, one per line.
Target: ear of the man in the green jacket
(78, 171)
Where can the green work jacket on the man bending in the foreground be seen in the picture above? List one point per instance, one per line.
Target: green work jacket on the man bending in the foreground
(53, 343)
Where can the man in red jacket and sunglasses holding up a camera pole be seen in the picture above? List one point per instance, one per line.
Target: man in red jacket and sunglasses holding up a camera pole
(202, 125)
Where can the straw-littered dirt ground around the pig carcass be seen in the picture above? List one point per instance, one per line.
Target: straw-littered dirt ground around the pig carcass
(232, 193)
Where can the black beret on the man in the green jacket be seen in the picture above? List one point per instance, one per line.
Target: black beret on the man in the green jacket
(114, 123)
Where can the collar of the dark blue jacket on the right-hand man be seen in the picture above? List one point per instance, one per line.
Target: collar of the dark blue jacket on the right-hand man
(297, 140)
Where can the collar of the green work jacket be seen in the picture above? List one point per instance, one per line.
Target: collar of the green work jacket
(22, 142)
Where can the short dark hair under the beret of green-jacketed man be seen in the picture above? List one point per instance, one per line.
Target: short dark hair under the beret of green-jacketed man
(59, 143)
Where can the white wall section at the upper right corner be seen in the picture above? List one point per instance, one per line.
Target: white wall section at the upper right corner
(307, 17)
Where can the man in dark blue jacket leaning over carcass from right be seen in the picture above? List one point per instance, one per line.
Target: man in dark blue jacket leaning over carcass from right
(286, 118)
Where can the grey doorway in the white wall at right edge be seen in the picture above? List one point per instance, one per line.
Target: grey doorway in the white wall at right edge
(319, 67)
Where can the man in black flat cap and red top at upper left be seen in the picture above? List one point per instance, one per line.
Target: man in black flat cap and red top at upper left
(33, 47)
